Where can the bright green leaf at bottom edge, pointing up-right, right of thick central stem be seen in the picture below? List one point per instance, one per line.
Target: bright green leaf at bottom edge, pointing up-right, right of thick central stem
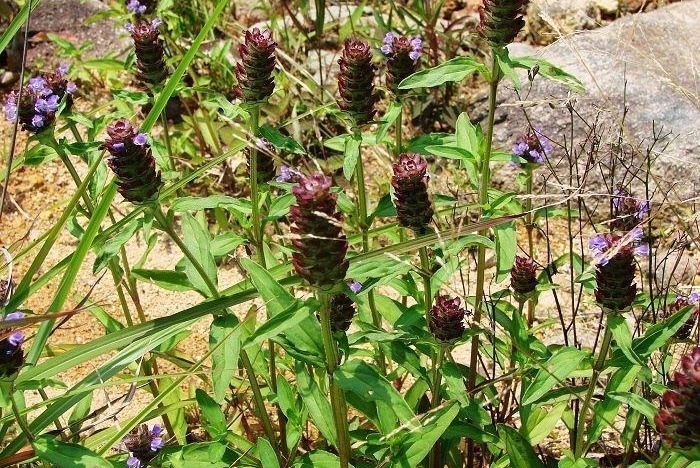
(423, 437)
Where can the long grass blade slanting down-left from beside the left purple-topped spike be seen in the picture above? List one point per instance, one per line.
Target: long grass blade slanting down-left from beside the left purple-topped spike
(71, 272)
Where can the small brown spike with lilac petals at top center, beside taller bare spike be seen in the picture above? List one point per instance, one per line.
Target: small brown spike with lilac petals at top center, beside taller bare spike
(402, 55)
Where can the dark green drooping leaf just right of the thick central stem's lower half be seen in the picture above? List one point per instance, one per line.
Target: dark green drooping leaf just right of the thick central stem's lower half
(362, 379)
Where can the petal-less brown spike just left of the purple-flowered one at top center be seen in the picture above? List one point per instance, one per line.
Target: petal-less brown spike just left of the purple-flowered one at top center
(356, 91)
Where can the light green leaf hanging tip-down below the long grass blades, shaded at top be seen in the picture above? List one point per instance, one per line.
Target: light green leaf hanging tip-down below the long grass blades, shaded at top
(224, 334)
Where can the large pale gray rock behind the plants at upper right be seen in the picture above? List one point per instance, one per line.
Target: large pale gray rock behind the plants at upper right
(645, 63)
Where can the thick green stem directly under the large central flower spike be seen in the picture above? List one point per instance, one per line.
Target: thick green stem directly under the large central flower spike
(338, 404)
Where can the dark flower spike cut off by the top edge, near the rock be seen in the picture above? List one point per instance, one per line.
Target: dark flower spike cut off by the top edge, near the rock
(501, 21)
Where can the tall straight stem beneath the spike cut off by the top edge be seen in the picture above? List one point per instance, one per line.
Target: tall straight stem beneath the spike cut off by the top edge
(484, 185)
